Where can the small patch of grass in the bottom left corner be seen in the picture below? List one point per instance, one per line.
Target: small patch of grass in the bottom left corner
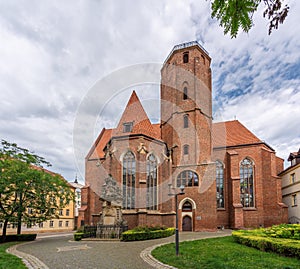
(9, 261)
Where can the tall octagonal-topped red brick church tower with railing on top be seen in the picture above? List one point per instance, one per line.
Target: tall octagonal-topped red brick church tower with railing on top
(186, 125)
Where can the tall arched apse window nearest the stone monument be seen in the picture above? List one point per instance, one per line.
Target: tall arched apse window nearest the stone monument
(129, 180)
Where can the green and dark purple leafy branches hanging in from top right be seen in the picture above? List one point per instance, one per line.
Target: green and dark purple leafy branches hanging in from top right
(237, 14)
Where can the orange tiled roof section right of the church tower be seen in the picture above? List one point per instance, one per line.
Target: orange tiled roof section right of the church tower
(232, 133)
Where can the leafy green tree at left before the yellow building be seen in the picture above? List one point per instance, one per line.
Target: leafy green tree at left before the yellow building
(29, 193)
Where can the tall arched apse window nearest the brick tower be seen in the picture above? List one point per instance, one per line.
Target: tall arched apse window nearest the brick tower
(151, 182)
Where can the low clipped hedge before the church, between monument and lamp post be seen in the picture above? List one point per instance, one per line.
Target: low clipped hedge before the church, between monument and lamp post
(147, 233)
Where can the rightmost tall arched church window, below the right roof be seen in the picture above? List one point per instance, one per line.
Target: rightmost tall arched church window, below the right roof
(247, 183)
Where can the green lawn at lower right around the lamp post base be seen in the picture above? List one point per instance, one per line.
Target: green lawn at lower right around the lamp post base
(221, 253)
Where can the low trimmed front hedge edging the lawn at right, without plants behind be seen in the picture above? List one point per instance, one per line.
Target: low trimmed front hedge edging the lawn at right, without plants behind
(286, 247)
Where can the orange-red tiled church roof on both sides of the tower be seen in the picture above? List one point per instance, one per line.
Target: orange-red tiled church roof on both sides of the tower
(224, 134)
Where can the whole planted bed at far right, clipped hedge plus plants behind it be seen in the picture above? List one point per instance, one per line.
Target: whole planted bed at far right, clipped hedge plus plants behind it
(282, 239)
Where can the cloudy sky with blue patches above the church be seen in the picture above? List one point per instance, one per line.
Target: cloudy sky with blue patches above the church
(53, 53)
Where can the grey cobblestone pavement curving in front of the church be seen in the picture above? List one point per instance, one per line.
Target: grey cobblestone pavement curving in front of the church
(60, 252)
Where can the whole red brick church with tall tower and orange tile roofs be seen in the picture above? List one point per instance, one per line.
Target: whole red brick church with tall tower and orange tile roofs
(228, 174)
